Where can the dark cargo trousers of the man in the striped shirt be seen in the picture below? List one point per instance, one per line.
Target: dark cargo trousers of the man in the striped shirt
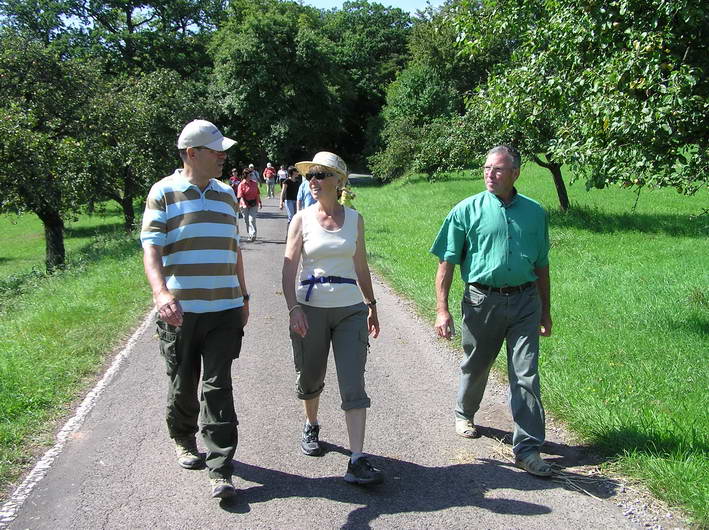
(210, 341)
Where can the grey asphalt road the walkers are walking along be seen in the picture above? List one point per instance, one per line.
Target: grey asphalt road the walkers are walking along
(118, 470)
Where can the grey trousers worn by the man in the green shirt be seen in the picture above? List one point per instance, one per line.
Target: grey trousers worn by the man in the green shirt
(488, 319)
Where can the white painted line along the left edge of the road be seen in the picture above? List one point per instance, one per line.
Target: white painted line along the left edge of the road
(12, 506)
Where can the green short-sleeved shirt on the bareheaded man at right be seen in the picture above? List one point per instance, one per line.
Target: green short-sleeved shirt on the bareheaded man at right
(494, 243)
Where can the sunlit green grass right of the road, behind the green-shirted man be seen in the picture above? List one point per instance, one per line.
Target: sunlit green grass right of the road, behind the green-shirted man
(627, 365)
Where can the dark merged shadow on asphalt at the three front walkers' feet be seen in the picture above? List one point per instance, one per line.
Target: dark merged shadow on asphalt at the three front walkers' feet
(408, 488)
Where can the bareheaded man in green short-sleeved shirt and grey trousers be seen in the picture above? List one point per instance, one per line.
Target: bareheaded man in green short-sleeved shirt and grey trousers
(500, 239)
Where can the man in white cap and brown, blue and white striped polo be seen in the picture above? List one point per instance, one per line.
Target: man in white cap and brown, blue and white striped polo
(193, 264)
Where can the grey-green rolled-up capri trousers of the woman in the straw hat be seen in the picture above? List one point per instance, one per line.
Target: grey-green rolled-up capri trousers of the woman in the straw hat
(346, 329)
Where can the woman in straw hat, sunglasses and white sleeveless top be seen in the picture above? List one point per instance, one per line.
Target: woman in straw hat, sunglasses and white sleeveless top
(333, 302)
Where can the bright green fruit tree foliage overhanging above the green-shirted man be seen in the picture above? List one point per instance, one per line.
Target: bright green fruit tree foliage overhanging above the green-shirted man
(618, 90)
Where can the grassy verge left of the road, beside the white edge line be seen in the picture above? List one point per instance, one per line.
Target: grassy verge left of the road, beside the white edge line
(55, 331)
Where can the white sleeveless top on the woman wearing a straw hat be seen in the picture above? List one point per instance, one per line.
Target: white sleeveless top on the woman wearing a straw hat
(328, 253)
